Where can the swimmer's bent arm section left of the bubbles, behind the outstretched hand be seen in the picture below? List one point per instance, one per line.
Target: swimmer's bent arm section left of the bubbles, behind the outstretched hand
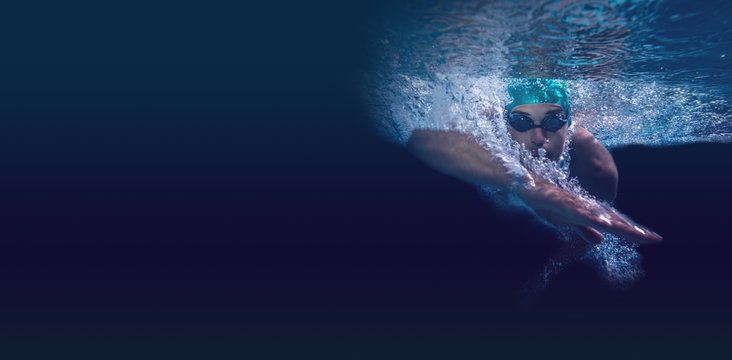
(458, 155)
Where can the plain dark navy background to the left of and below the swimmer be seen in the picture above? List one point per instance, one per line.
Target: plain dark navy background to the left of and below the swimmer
(202, 180)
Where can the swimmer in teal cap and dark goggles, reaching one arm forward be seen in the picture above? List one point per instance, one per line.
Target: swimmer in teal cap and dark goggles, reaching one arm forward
(539, 115)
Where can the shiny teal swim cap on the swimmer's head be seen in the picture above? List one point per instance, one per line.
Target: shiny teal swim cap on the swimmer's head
(538, 90)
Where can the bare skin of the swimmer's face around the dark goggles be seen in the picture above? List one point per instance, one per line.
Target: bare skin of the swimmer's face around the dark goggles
(538, 138)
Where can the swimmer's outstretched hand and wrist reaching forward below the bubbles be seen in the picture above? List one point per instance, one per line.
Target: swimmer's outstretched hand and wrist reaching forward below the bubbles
(585, 216)
